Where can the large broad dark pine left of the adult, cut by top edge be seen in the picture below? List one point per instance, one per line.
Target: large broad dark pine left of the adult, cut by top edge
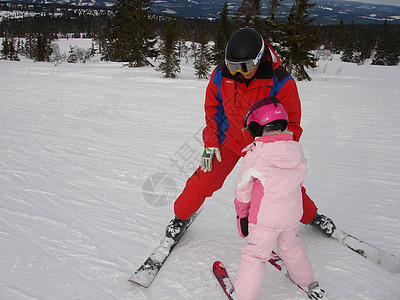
(132, 33)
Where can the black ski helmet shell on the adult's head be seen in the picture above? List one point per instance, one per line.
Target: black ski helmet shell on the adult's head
(244, 44)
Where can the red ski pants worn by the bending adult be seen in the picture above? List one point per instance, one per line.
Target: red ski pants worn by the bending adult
(202, 185)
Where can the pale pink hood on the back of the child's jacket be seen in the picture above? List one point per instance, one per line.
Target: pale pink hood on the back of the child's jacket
(279, 150)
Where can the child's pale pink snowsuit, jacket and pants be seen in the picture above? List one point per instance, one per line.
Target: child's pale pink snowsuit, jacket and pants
(268, 191)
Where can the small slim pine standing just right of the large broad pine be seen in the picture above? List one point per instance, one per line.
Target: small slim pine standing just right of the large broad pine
(170, 62)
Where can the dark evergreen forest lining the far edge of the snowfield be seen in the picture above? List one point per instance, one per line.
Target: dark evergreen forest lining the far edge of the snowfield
(129, 33)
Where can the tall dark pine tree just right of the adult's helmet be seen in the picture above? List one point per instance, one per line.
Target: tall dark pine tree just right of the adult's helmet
(300, 39)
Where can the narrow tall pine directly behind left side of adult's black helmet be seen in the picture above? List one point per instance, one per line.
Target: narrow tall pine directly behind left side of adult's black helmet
(222, 36)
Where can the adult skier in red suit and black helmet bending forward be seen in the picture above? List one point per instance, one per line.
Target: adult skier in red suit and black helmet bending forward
(251, 71)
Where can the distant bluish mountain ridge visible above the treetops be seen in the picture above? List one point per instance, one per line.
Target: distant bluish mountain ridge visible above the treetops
(325, 11)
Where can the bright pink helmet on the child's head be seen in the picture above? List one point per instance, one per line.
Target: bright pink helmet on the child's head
(262, 112)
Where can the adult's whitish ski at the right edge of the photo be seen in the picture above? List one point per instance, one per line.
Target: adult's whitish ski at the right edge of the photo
(387, 261)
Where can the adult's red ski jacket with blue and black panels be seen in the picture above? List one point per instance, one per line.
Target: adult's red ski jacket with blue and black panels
(229, 97)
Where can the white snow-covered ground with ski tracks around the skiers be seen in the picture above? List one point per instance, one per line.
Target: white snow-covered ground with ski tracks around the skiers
(93, 155)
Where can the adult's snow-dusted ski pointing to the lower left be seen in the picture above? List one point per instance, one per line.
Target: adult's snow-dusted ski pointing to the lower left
(146, 273)
